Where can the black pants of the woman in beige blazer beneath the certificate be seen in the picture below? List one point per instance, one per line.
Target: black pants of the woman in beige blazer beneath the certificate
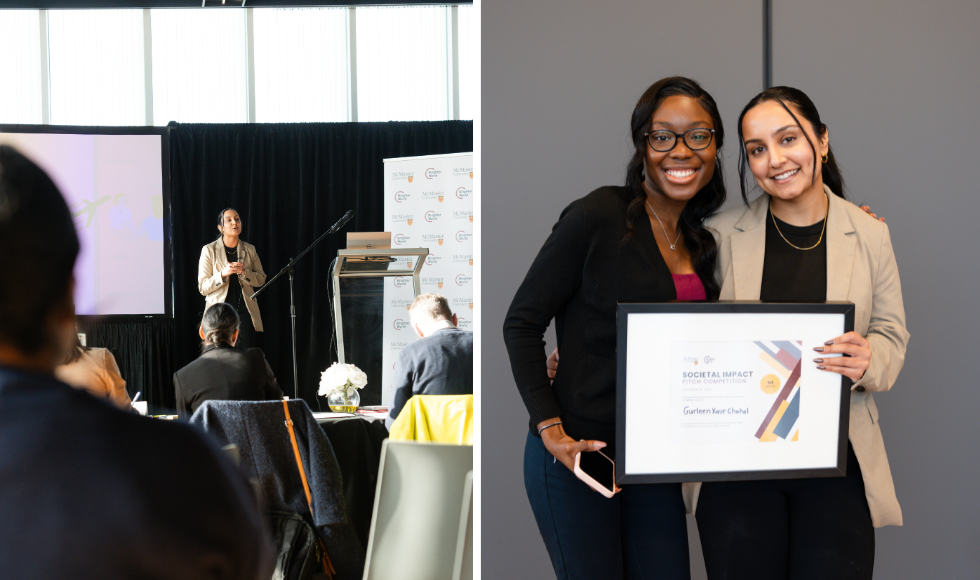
(797, 529)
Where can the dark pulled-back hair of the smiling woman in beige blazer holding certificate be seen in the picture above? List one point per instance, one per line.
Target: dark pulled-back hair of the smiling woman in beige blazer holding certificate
(830, 172)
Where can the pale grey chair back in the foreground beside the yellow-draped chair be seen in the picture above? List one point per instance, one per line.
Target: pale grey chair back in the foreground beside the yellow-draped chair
(415, 528)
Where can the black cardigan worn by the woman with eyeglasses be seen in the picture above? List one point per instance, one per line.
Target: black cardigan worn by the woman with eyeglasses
(577, 278)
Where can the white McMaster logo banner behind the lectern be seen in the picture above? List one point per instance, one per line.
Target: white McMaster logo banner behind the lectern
(428, 204)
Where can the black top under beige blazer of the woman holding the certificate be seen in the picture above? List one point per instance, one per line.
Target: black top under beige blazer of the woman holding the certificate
(791, 275)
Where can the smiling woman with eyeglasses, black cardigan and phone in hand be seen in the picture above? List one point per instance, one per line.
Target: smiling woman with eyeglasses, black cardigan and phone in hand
(641, 242)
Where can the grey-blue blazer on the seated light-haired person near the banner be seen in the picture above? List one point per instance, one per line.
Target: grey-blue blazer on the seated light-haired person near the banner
(438, 364)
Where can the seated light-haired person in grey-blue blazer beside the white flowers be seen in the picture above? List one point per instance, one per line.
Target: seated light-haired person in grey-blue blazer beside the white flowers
(440, 362)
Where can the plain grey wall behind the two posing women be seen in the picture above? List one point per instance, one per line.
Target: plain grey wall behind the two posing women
(894, 80)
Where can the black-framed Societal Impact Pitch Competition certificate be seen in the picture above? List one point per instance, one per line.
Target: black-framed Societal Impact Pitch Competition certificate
(725, 391)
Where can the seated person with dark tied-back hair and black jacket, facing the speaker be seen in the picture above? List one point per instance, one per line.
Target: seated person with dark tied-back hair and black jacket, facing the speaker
(224, 372)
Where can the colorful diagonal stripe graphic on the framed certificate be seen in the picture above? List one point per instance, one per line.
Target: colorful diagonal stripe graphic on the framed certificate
(785, 359)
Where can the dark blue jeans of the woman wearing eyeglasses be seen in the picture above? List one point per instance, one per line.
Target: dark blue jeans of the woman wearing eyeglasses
(640, 533)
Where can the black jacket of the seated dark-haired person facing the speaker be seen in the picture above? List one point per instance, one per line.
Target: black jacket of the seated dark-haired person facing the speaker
(225, 373)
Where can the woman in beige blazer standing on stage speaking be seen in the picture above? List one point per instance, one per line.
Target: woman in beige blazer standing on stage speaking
(228, 271)
